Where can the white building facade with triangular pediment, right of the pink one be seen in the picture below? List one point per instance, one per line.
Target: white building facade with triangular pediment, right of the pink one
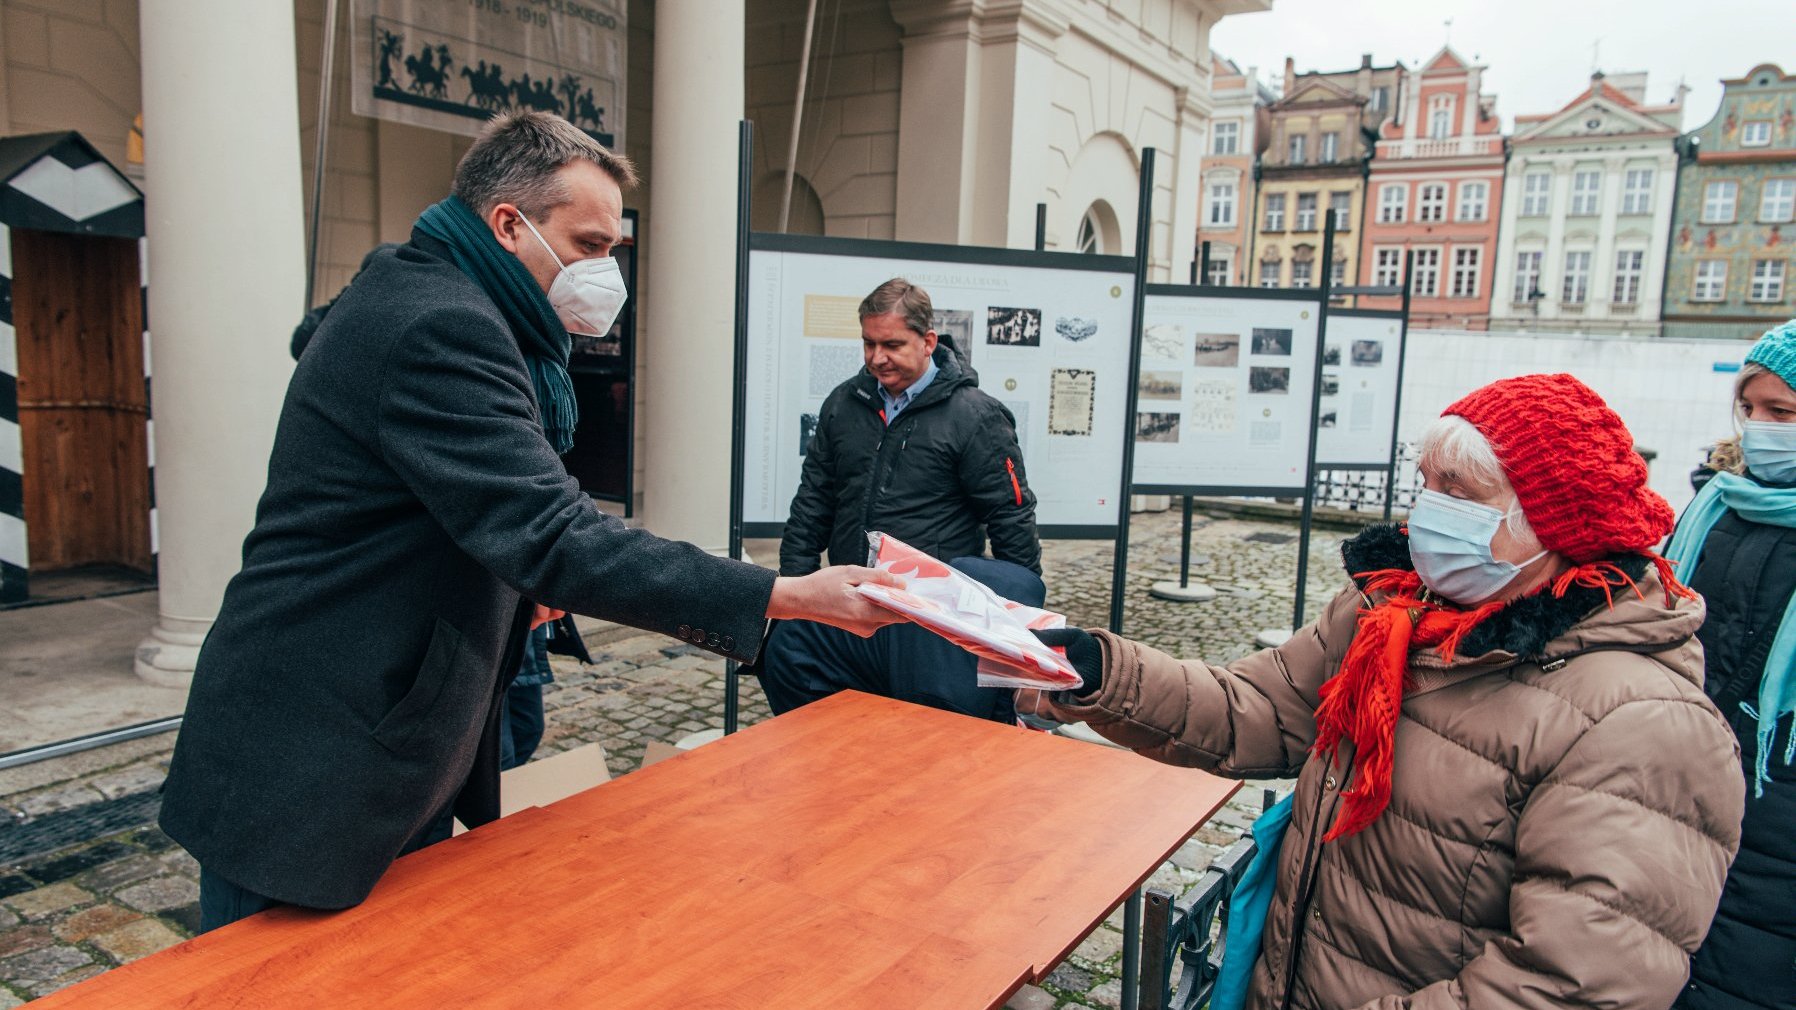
(1587, 213)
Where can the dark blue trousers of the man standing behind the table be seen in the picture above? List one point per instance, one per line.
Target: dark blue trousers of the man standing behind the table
(807, 662)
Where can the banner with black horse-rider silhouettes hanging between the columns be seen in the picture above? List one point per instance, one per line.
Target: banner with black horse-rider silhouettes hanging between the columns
(453, 64)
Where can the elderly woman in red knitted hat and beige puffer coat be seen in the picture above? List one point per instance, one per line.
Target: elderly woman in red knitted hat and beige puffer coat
(1511, 790)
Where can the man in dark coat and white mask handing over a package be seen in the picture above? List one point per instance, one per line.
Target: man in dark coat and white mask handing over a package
(416, 517)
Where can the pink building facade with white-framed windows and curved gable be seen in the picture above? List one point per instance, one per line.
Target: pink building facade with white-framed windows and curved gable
(1436, 190)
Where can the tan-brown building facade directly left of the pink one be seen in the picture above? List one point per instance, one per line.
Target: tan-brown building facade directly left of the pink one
(1316, 163)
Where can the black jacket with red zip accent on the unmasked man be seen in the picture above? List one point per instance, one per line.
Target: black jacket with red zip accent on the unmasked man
(942, 477)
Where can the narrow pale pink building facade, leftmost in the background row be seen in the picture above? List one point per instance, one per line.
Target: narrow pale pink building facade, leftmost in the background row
(1240, 132)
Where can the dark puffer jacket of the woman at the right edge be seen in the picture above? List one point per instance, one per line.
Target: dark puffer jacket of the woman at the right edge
(1747, 574)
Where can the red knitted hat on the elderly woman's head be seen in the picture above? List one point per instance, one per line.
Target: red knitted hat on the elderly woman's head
(1574, 466)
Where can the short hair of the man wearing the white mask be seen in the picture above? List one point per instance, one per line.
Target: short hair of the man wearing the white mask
(518, 161)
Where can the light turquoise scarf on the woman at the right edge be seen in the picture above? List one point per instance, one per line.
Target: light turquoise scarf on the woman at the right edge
(1774, 508)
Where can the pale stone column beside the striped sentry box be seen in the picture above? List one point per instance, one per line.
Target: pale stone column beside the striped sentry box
(227, 252)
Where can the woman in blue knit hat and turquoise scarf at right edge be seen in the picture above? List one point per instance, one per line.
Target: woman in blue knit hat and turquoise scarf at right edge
(1738, 547)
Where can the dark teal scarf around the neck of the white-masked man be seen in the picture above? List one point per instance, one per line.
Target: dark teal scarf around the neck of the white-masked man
(527, 310)
